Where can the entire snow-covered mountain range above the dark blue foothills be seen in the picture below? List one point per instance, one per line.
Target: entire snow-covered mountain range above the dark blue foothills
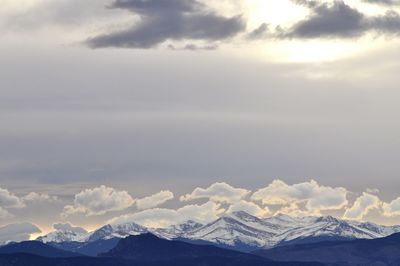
(242, 231)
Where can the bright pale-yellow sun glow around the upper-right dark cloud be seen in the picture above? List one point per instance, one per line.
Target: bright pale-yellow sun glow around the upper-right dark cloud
(285, 13)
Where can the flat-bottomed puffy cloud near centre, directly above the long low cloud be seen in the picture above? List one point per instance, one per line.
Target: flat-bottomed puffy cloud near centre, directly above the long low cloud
(218, 192)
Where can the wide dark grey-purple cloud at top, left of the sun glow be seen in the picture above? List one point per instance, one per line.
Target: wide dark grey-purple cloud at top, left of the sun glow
(162, 20)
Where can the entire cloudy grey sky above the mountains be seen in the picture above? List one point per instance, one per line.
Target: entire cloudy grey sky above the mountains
(158, 111)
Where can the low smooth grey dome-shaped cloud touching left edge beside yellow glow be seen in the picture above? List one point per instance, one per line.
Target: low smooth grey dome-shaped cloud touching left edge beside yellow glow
(17, 232)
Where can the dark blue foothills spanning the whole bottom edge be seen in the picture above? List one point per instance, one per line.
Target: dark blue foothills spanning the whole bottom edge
(149, 250)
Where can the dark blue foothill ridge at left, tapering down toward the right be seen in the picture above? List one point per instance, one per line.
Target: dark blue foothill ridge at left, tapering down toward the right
(144, 250)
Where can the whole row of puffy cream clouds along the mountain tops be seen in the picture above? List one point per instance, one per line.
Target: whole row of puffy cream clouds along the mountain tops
(299, 199)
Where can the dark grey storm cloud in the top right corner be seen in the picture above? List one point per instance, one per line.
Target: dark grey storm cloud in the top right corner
(340, 20)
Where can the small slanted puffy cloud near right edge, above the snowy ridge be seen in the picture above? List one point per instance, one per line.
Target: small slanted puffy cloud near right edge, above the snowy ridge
(362, 206)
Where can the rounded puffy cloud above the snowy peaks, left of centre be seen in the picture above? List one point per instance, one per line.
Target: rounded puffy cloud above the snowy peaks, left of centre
(99, 201)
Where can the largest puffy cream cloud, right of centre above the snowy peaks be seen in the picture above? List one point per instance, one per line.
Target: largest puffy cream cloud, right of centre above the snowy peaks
(315, 197)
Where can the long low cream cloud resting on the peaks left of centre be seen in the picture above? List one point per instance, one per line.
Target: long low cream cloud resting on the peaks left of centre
(159, 218)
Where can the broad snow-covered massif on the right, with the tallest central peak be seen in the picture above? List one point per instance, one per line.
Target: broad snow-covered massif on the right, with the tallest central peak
(244, 231)
